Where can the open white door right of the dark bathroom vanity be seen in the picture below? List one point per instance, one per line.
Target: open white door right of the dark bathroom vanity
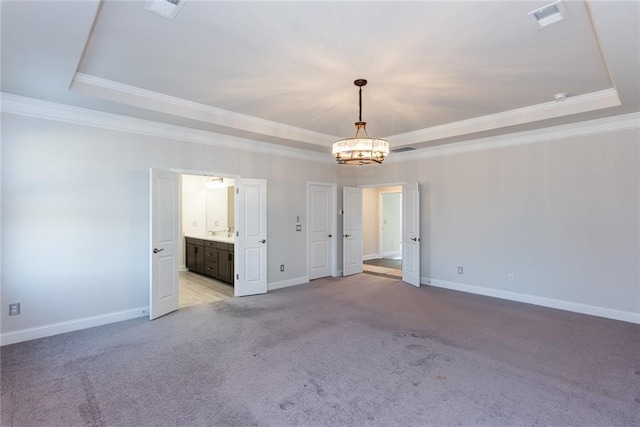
(251, 237)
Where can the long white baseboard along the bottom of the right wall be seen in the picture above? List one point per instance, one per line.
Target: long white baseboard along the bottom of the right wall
(625, 316)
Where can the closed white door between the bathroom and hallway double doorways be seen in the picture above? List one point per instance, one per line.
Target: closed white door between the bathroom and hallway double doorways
(321, 208)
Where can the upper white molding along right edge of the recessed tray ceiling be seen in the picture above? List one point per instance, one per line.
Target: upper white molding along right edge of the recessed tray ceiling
(548, 110)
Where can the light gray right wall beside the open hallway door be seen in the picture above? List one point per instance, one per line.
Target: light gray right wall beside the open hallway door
(562, 216)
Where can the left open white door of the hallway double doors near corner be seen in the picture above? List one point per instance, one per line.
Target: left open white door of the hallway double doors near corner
(352, 231)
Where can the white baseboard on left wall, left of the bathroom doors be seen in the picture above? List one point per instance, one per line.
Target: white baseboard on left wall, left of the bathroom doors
(70, 326)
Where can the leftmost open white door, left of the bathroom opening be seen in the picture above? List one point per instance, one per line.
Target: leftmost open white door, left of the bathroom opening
(163, 273)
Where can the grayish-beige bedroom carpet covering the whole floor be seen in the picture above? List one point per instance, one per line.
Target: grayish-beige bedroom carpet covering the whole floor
(362, 350)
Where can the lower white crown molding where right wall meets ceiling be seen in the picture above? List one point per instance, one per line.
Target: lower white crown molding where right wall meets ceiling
(592, 127)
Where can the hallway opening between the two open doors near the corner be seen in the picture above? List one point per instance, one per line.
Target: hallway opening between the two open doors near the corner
(382, 231)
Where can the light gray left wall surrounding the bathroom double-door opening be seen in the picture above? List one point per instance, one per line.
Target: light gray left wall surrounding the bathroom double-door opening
(75, 216)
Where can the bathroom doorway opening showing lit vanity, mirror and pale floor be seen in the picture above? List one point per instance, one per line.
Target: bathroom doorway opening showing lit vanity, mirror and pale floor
(206, 212)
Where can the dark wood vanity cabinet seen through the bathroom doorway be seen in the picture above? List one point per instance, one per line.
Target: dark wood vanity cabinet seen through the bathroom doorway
(211, 258)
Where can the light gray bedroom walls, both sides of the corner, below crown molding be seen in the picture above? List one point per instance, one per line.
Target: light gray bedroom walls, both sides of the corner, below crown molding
(562, 216)
